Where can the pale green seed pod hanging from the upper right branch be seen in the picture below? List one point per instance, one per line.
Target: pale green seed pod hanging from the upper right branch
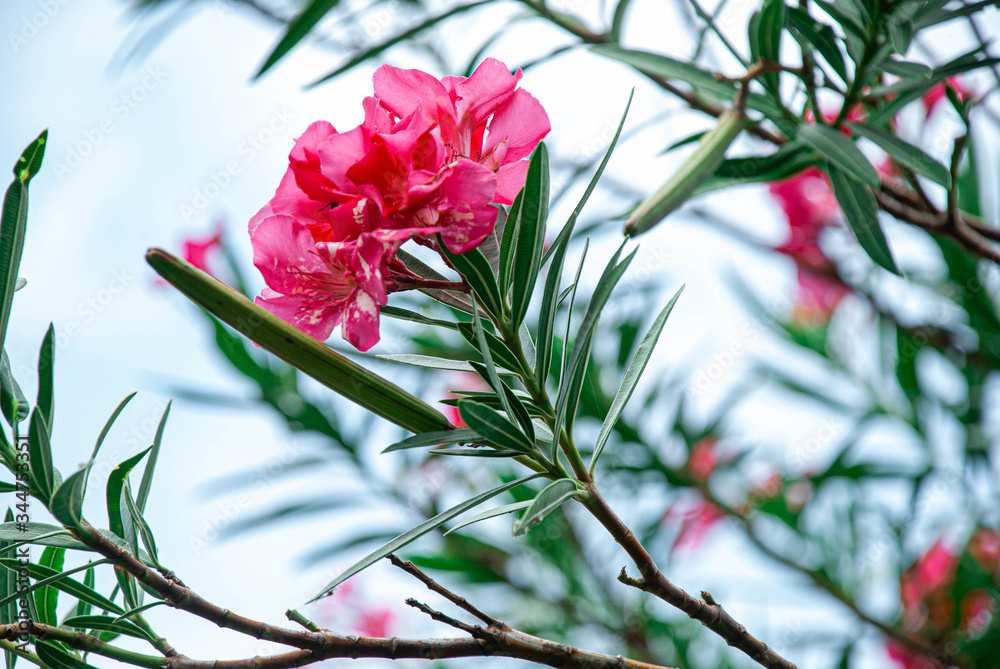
(701, 165)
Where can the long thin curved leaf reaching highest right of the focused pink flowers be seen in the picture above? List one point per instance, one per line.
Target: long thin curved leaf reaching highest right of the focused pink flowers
(550, 296)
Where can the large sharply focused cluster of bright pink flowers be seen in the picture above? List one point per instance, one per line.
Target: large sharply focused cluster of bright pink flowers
(431, 158)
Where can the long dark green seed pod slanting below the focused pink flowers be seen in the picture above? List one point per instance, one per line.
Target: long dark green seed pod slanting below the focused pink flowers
(301, 351)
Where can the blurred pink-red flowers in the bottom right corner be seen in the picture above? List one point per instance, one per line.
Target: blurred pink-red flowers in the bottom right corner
(928, 606)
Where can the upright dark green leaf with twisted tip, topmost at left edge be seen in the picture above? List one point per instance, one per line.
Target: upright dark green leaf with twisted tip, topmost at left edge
(13, 222)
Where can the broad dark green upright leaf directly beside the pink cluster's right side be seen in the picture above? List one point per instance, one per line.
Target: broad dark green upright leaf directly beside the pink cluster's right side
(530, 242)
